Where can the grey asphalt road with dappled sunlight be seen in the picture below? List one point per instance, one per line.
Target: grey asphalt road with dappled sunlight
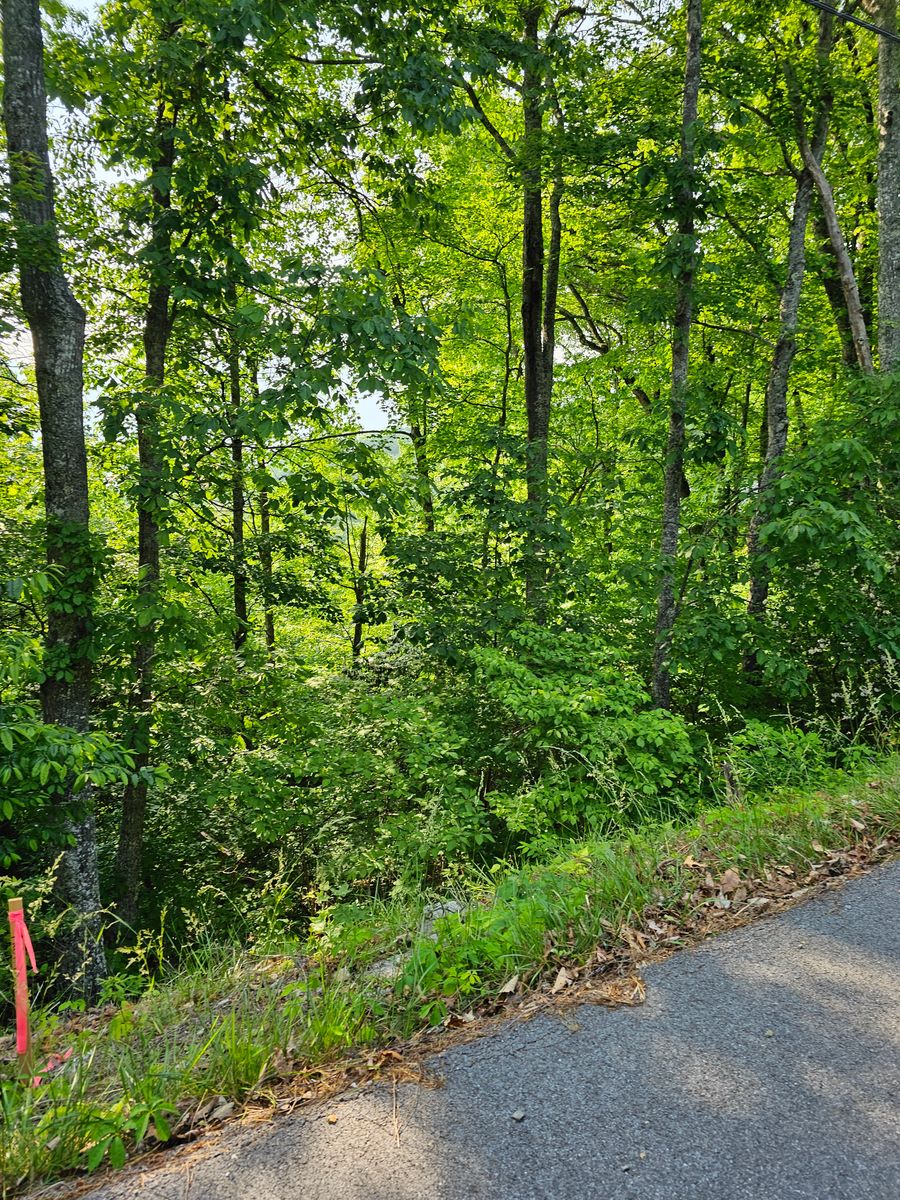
(763, 1067)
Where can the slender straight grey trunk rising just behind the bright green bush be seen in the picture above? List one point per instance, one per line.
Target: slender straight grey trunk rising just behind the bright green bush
(667, 608)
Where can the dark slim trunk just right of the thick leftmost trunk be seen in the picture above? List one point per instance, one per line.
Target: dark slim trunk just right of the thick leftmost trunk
(158, 329)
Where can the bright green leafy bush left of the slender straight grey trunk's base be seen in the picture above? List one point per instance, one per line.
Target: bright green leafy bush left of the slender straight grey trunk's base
(578, 739)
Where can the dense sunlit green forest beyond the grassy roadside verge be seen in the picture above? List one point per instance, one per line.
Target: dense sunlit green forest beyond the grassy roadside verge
(435, 437)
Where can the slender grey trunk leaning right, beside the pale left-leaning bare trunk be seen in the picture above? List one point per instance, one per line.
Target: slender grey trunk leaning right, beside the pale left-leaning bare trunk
(777, 417)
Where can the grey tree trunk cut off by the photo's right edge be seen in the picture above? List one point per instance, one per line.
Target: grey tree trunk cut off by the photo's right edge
(889, 194)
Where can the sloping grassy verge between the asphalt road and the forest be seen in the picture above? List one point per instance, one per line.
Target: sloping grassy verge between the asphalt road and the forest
(231, 1024)
